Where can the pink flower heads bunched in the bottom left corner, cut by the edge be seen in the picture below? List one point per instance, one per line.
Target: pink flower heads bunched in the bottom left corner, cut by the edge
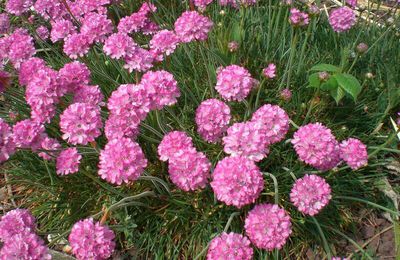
(17, 229)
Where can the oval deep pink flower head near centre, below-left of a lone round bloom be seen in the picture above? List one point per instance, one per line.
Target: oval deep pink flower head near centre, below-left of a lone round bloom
(212, 119)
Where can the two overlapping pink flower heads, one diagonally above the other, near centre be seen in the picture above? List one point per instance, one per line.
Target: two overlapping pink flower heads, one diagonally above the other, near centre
(188, 169)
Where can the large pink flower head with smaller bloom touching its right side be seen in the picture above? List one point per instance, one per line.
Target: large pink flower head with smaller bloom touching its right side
(316, 146)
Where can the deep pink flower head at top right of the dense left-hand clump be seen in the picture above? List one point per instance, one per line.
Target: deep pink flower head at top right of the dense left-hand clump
(73, 75)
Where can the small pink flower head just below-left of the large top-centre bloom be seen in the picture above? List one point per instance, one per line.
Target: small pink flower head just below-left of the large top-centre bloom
(164, 42)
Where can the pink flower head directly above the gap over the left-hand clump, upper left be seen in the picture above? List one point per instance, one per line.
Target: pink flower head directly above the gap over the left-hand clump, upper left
(77, 45)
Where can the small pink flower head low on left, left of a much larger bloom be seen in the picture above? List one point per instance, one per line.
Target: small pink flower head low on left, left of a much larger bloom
(68, 161)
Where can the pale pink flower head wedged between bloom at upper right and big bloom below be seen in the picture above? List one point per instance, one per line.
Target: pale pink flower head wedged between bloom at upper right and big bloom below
(246, 139)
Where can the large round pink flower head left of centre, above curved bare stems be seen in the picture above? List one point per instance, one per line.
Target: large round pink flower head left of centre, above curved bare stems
(122, 160)
